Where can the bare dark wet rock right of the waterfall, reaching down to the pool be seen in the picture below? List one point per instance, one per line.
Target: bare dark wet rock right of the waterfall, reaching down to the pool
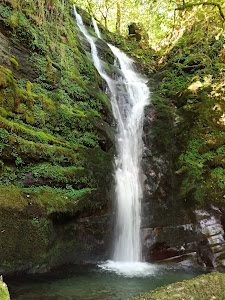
(172, 231)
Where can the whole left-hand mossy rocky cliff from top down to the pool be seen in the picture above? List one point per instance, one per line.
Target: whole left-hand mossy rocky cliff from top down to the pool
(56, 142)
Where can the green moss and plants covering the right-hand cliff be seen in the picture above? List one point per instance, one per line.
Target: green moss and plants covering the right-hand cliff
(188, 75)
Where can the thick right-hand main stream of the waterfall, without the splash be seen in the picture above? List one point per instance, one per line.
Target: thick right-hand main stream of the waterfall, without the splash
(127, 174)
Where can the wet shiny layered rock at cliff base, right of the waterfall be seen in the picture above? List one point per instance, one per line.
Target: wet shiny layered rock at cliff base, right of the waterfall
(197, 245)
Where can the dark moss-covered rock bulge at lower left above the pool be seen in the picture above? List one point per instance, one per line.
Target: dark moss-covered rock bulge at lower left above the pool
(41, 228)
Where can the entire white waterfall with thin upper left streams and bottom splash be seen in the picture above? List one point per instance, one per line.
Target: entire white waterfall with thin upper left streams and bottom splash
(128, 109)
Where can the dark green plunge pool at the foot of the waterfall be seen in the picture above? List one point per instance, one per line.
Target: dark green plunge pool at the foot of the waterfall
(93, 283)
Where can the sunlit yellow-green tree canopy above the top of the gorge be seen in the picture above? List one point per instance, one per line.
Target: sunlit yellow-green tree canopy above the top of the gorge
(159, 18)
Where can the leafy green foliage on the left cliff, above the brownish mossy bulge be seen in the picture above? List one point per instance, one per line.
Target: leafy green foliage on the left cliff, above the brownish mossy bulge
(47, 121)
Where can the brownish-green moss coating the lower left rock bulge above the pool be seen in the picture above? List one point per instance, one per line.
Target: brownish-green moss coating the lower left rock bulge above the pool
(27, 225)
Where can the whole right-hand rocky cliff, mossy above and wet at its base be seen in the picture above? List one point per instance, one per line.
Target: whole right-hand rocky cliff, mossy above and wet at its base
(184, 155)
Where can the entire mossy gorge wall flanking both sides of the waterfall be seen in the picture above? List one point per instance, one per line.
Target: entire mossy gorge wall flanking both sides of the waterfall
(57, 145)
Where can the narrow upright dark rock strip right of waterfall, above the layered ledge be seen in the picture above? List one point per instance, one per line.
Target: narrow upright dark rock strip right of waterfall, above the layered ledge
(158, 184)
